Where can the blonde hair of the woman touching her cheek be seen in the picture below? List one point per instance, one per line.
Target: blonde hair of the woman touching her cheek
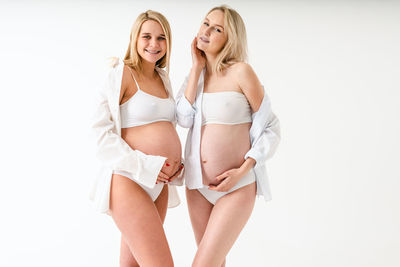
(235, 48)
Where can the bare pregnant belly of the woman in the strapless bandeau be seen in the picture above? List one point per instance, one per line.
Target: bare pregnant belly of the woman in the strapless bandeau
(222, 148)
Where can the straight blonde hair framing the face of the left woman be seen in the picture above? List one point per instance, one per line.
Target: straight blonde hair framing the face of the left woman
(132, 58)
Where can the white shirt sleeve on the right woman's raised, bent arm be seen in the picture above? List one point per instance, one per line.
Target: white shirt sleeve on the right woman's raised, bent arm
(184, 110)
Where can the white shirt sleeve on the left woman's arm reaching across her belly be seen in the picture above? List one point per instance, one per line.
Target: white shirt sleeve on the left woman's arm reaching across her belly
(114, 152)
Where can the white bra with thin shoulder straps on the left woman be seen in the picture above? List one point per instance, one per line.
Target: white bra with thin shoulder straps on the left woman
(143, 108)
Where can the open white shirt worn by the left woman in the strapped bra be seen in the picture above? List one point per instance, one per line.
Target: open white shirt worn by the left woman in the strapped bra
(114, 153)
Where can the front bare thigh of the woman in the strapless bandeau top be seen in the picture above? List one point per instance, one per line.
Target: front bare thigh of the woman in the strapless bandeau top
(227, 219)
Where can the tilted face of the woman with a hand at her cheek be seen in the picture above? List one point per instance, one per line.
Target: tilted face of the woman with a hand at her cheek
(212, 36)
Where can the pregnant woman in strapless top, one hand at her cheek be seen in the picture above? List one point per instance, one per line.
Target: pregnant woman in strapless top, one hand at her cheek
(232, 132)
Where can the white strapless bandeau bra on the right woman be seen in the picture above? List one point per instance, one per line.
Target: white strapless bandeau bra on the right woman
(227, 107)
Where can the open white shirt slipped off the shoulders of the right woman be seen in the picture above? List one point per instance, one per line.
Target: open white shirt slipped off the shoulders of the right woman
(264, 137)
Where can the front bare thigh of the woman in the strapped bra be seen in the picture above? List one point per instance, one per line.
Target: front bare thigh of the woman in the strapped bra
(140, 223)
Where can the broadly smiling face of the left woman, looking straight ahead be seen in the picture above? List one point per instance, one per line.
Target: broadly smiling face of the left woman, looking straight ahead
(151, 42)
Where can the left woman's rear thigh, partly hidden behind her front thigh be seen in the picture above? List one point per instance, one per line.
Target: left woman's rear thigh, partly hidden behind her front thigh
(126, 258)
